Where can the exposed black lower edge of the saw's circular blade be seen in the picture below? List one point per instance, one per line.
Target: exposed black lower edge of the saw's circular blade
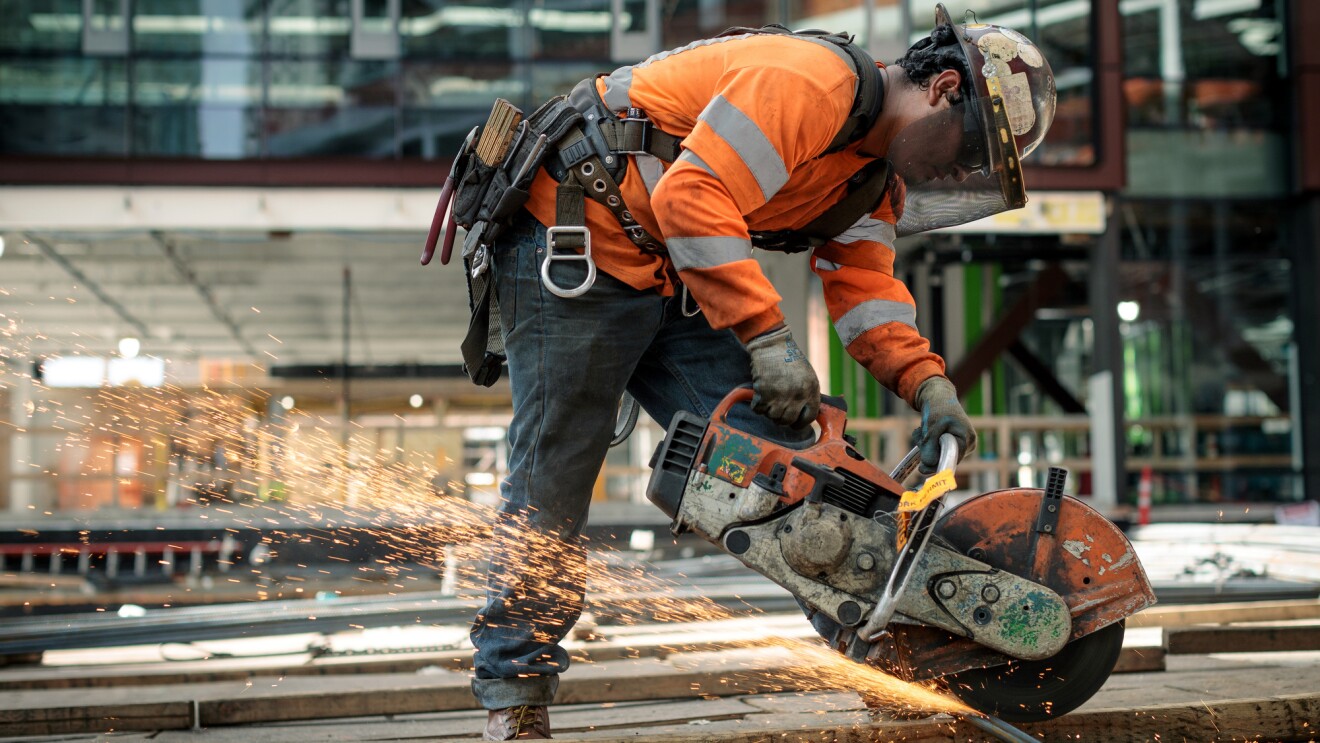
(1041, 690)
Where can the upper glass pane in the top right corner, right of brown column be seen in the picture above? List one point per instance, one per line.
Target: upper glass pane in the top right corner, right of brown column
(1207, 100)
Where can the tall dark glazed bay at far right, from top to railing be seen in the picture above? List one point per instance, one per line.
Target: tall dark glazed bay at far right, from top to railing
(1211, 358)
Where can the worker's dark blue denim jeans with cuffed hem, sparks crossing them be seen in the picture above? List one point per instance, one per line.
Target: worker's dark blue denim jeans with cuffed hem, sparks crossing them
(570, 362)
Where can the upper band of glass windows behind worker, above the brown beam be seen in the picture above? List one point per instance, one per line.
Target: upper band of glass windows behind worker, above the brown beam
(244, 80)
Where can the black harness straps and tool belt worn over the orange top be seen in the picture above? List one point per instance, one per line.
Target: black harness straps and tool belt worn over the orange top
(585, 147)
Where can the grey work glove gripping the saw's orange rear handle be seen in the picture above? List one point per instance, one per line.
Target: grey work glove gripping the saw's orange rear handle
(785, 382)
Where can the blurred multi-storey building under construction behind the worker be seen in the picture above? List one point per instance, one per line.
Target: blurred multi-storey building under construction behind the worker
(212, 213)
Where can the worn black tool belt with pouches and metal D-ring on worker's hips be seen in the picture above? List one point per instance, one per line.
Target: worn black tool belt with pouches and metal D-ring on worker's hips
(583, 146)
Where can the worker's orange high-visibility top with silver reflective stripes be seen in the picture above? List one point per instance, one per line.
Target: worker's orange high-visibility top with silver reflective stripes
(756, 114)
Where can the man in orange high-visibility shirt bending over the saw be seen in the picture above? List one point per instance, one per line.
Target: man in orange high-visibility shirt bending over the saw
(749, 139)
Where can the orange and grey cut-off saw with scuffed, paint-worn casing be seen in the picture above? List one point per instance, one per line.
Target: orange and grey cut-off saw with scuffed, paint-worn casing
(1016, 600)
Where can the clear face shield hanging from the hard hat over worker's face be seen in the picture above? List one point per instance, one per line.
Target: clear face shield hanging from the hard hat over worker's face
(959, 164)
